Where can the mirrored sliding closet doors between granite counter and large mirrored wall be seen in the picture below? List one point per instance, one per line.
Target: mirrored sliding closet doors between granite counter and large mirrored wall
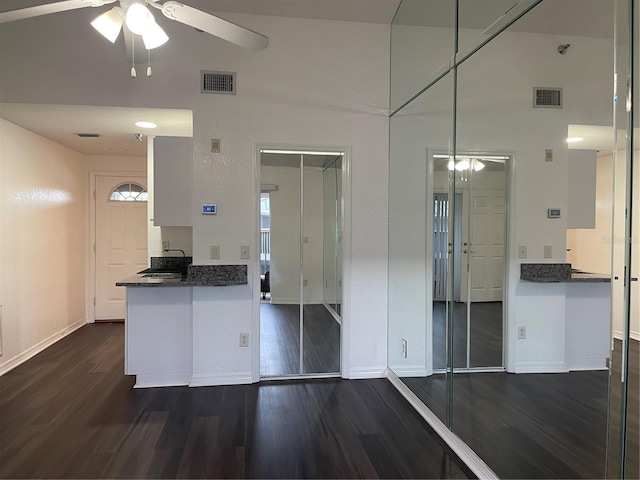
(301, 224)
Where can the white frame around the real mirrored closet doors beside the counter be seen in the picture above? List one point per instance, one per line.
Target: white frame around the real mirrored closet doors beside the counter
(345, 330)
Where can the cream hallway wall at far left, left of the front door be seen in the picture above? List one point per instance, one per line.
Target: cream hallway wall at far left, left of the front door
(43, 220)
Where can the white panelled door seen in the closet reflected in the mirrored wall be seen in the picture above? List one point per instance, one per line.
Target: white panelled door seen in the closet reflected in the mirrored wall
(487, 246)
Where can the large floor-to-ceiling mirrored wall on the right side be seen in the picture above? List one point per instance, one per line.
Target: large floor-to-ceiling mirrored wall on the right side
(513, 292)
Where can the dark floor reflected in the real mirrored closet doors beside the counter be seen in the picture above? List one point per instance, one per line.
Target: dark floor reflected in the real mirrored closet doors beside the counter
(280, 338)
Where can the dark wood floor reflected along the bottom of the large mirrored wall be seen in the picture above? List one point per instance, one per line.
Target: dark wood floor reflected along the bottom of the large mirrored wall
(536, 425)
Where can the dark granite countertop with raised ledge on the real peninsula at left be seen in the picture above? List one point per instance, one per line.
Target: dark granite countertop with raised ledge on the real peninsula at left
(197, 276)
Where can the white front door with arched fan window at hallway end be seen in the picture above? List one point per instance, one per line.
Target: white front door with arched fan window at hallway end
(121, 244)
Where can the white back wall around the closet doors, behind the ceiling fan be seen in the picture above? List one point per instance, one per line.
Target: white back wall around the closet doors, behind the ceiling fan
(321, 83)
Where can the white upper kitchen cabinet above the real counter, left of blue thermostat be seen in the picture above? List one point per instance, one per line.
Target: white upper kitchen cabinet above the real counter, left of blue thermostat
(173, 179)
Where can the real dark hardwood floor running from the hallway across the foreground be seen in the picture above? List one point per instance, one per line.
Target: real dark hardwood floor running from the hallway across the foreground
(69, 412)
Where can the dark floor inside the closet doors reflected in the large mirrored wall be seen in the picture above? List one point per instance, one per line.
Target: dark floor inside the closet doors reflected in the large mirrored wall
(486, 335)
